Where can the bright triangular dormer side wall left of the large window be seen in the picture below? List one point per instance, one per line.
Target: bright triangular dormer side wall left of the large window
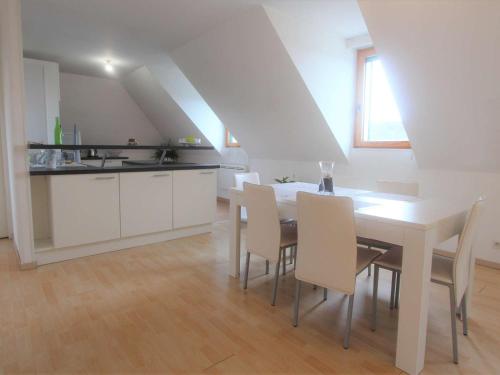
(324, 62)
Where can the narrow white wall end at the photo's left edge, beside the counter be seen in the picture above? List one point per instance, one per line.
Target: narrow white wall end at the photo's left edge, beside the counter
(12, 128)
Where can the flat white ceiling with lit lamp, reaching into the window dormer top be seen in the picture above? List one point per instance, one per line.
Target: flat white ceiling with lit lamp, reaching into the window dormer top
(82, 34)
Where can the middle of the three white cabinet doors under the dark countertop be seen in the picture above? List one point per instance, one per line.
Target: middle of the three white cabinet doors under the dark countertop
(145, 202)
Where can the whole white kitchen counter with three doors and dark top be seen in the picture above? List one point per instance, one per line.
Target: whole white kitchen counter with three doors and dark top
(81, 211)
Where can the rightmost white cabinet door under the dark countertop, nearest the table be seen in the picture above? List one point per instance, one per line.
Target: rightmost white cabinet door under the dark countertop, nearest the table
(194, 197)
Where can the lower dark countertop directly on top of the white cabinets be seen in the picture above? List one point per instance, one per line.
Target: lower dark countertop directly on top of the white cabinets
(41, 171)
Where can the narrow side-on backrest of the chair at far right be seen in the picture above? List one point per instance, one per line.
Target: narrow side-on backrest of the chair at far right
(463, 260)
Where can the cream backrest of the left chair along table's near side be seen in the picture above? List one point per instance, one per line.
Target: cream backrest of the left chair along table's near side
(263, 224)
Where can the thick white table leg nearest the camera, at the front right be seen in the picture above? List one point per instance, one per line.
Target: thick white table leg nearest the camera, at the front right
(414, 302)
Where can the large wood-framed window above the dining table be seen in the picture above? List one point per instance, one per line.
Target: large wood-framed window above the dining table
(378, 122)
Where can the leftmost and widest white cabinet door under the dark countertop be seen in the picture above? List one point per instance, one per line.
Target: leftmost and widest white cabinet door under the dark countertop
(84, 208)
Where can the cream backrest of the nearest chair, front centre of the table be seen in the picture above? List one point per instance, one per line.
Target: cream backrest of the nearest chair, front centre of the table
(326, 248)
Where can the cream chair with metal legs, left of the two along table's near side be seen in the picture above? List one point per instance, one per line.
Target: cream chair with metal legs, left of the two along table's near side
(266, 236)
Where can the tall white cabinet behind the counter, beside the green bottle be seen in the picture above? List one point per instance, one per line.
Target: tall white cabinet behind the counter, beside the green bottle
(42, 92)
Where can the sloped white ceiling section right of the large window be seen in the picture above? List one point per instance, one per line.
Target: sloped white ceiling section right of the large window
(442, 62)
